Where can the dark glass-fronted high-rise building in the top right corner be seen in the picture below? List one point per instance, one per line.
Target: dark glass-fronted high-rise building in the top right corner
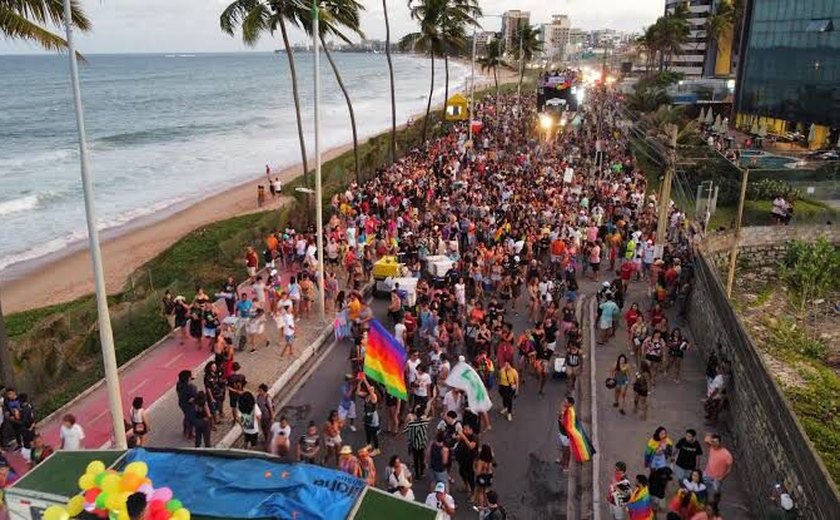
(789, 78)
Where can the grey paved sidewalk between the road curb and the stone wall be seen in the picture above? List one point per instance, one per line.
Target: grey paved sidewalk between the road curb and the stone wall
(676, 406)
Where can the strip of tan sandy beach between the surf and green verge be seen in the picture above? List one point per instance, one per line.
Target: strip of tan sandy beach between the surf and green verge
(67, 274)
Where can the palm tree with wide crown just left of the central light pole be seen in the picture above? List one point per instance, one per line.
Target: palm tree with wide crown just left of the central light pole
(254, 18)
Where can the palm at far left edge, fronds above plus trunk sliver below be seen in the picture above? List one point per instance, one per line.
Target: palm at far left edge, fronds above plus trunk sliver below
(24, 20)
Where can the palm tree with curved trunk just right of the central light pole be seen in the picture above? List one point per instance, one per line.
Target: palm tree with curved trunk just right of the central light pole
(335, 14)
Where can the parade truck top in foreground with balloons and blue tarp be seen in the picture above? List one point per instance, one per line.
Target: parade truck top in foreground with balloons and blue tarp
(209, 484)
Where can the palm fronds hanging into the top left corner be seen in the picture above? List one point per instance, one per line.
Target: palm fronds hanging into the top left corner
(24, 20)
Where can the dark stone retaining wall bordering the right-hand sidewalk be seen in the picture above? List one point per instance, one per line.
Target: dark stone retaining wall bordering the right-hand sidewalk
(767, 436)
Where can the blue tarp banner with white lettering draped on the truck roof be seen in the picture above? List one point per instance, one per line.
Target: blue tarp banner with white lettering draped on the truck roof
(226, 486)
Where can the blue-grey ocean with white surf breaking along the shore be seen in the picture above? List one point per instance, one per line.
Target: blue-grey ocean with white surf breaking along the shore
(167, 130)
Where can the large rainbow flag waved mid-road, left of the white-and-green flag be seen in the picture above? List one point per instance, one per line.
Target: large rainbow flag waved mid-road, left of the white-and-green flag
(385, 360)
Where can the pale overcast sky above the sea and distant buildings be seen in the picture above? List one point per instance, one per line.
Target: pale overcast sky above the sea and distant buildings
(121, 26)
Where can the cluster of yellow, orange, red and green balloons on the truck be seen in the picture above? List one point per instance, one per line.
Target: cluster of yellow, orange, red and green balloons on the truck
(105, 494)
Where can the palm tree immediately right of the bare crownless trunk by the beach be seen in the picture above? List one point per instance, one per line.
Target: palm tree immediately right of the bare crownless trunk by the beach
(429, 14)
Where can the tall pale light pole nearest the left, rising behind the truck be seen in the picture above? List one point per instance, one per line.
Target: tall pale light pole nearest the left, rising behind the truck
(106, 335)
